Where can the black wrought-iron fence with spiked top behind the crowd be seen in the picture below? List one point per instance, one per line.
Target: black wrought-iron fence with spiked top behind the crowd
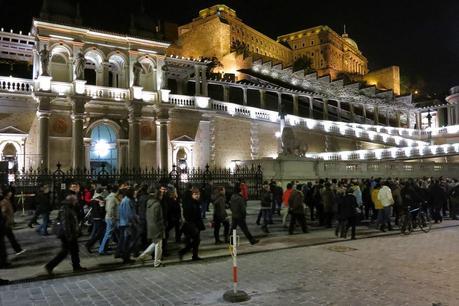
(27, 183)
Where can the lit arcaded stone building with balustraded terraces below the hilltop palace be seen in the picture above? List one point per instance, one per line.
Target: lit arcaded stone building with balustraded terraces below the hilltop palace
(97, 98)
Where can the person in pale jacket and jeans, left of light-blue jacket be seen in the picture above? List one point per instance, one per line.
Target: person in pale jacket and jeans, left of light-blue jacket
(112, 202)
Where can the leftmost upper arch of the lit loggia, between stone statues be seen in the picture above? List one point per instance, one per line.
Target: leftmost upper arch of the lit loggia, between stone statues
(60, 63)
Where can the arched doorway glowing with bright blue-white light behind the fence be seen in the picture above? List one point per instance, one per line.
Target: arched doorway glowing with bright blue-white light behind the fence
(103, 152)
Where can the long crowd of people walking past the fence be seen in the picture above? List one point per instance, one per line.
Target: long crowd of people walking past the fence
(134, 222)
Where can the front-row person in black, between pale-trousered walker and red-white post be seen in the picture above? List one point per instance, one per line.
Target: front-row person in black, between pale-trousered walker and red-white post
(193, 224)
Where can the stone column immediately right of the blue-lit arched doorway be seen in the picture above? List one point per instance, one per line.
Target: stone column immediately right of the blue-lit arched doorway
(134, 135)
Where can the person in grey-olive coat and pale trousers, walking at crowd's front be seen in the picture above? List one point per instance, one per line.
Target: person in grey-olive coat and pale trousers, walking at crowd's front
(155, 226)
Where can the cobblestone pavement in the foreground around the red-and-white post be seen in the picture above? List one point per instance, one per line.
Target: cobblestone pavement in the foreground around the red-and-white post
(420, 269)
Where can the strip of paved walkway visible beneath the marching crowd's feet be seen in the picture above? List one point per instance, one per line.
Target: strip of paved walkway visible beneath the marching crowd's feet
(29, 266)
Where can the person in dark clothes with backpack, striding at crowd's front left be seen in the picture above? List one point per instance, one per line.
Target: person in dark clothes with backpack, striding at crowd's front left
(67, 230)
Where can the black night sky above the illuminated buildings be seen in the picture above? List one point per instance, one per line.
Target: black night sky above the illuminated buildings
(420, 37)
